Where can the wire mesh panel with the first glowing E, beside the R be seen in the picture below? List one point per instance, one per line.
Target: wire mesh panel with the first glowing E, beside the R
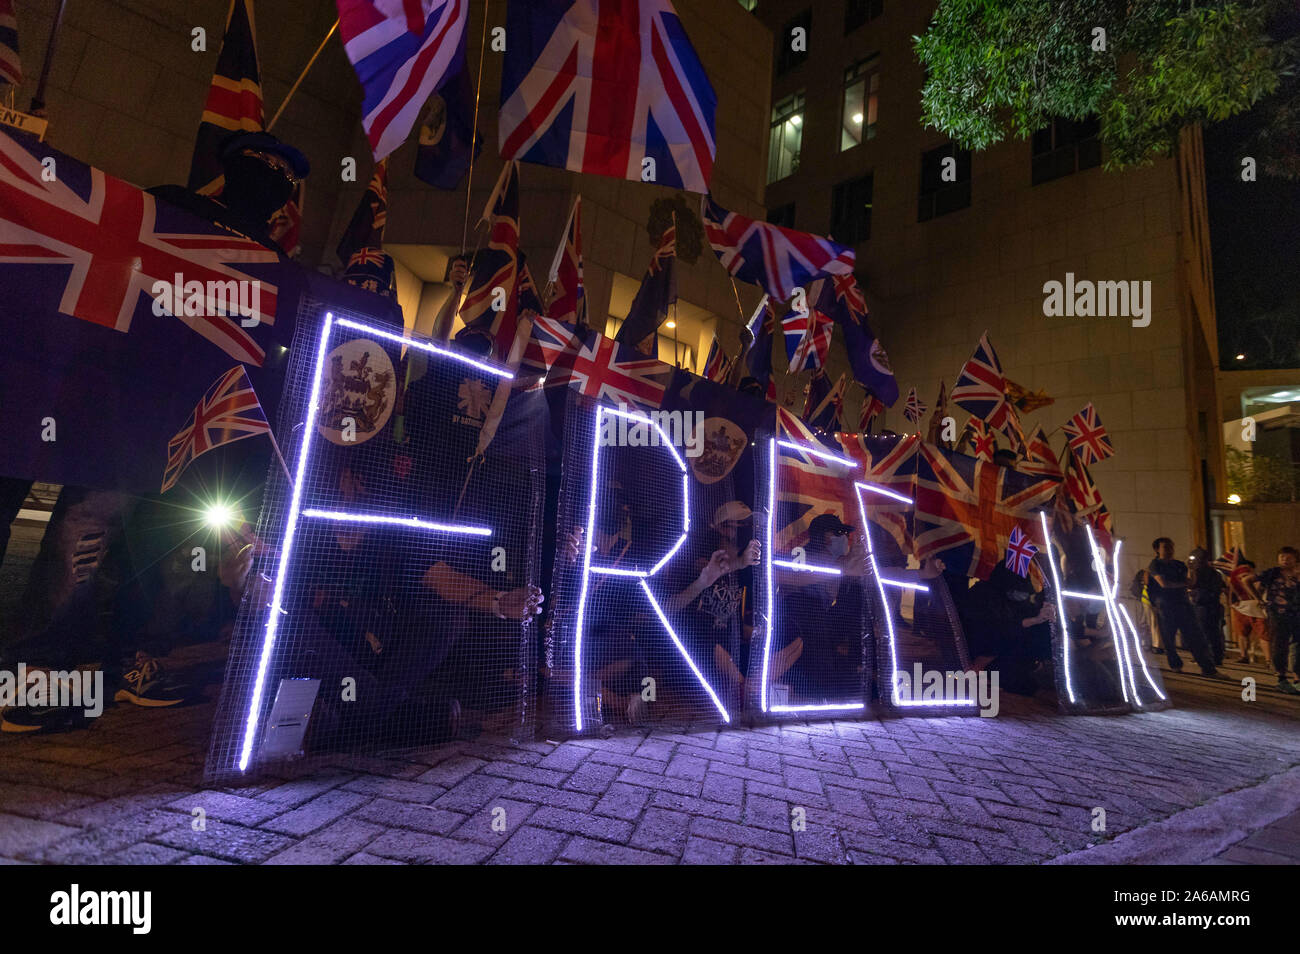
(814, 589)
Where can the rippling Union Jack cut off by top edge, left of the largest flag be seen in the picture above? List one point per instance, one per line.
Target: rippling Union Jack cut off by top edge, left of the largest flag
(402, 53)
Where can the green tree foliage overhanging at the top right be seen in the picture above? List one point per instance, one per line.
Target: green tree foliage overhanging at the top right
(1009, 67)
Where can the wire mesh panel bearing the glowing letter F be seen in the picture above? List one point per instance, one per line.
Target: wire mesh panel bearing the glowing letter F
(393, 597)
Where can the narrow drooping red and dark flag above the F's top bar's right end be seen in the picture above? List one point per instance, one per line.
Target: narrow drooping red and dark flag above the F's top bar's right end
(497, 266)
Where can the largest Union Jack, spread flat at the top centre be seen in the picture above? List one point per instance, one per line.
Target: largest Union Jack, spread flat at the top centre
(610, 88)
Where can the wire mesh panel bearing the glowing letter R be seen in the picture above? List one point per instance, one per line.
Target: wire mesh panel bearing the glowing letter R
(651, 582)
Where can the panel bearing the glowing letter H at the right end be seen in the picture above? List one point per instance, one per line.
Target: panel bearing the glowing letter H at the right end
(1098, 656)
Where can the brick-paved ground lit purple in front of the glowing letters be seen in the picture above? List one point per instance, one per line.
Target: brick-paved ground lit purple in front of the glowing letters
(1017, 788)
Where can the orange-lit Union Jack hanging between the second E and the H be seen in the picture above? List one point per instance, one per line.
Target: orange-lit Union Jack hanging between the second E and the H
(968, 508)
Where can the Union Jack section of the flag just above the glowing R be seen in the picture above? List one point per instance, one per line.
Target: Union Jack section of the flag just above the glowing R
(606, 370)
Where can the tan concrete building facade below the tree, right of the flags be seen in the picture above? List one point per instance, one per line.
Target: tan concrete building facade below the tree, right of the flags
(942, 263)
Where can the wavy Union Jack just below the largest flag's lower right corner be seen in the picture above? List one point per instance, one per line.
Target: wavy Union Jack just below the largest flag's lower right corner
(777, 259)
